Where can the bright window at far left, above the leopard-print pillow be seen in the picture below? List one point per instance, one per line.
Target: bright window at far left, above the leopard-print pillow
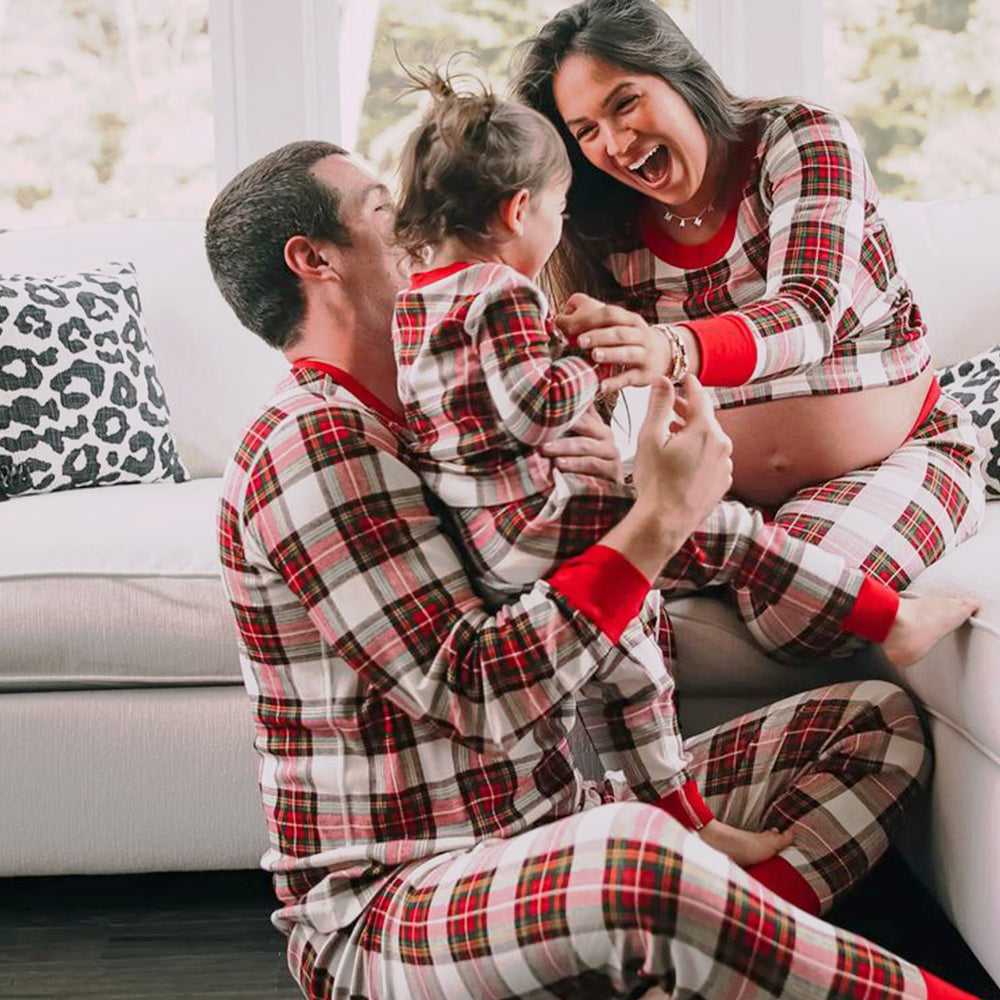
(107, 110)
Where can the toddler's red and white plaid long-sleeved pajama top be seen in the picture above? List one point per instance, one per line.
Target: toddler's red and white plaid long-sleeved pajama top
(484, 380)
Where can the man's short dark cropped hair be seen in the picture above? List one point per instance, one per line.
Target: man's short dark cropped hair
(252, 219)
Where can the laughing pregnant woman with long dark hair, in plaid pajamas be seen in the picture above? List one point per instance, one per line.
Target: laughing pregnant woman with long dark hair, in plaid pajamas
(748, 232)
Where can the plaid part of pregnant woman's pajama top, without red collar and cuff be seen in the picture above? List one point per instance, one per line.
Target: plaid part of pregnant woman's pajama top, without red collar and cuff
(810, 273)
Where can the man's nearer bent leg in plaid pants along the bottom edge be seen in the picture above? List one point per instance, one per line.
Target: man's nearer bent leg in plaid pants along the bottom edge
(600, 904)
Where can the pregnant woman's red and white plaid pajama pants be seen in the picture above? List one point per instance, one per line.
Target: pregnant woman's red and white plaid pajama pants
(891, 520)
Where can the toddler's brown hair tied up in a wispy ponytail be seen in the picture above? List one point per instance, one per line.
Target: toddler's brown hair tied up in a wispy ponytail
(470, 151)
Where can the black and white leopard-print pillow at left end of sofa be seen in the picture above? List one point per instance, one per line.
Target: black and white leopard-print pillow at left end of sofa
(80, 402)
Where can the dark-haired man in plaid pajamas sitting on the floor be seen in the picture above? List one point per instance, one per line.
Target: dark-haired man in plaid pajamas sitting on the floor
(431, 835)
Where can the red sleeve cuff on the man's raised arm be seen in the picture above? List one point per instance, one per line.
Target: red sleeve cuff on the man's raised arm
(603, 585)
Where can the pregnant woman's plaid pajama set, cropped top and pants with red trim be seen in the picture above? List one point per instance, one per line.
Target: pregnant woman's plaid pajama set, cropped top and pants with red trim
(798, 294)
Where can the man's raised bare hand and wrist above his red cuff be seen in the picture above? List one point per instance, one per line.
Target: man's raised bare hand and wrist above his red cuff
(683, 468)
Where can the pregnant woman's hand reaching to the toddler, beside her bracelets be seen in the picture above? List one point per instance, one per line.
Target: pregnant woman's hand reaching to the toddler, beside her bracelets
(616, 339)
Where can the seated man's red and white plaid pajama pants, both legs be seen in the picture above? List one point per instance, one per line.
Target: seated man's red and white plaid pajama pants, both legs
(619, 897)
